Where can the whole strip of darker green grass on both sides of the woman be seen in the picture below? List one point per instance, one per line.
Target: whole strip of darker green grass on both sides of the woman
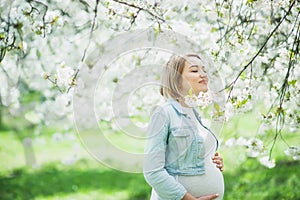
(89, 180)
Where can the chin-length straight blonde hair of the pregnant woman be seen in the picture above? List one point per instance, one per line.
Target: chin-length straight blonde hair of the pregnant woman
(171, 76)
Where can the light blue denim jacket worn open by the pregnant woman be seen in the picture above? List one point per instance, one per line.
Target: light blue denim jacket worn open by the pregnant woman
(173, 147)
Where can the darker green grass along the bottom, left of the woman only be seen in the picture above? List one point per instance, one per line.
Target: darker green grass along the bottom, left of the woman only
(84, 180)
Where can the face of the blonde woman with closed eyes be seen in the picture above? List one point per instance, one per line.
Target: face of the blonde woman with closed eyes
(194, 76)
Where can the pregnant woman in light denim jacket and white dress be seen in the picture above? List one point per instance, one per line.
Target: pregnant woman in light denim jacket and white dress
(180, 153)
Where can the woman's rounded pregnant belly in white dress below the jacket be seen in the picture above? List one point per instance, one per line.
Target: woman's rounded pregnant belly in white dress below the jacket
(211, 182)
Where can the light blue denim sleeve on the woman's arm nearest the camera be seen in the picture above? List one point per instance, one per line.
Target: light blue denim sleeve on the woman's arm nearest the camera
(155, 173)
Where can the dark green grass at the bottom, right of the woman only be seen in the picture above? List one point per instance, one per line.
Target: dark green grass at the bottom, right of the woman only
(253, 181)
